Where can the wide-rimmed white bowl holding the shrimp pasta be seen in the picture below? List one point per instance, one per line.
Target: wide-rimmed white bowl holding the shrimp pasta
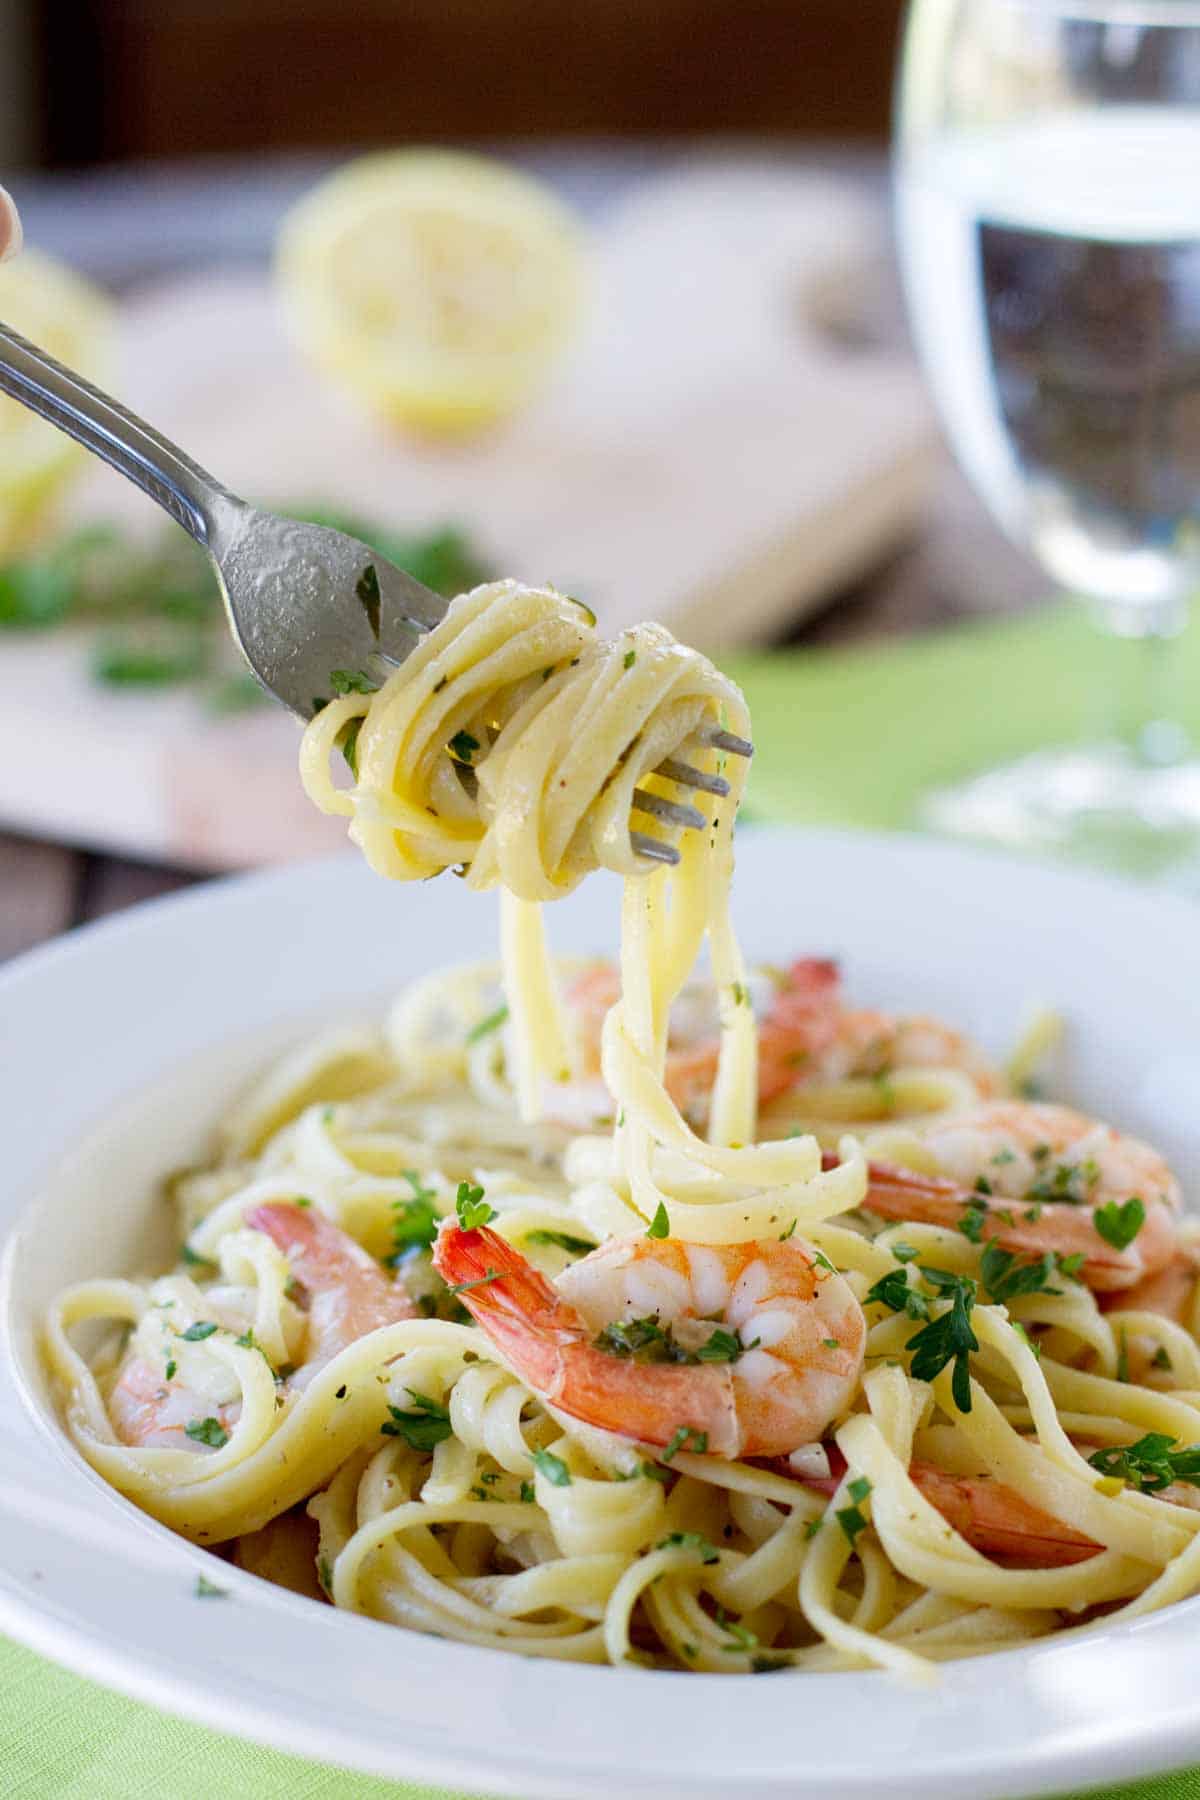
(118, 1048)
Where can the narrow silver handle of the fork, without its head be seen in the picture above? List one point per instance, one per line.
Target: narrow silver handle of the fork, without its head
(118, 436)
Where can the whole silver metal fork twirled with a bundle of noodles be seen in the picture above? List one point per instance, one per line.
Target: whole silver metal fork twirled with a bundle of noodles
(301, 600)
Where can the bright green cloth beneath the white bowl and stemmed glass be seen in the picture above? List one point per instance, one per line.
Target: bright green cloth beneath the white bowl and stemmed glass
(843, 739)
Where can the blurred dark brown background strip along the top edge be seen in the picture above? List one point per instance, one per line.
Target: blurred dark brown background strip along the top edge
(150, 78)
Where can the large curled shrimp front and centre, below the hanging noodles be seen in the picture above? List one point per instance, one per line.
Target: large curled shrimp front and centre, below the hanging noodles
(766, 1349)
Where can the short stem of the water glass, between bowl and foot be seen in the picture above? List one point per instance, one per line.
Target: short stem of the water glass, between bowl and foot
(1145, 660)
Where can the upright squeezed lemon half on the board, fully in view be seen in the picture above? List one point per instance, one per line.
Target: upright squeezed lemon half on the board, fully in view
(438, 287)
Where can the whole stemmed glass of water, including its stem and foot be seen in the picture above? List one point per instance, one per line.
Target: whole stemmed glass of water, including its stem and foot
(1048, 204)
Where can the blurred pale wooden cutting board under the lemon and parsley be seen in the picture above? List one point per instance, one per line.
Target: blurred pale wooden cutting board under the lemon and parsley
(710, 456)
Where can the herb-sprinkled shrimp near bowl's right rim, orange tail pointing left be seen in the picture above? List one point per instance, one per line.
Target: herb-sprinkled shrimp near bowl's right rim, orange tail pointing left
(1032, 1176)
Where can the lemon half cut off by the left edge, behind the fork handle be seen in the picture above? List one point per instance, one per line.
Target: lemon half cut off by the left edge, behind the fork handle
(62, 312)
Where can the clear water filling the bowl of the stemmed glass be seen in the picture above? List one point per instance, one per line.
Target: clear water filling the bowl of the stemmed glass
(1053, 273)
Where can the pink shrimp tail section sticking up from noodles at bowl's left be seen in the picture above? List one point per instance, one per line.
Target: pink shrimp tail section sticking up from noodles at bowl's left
(343, 1290)
